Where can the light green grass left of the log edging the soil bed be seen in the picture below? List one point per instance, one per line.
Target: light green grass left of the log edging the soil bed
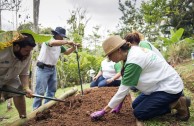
(12, 114)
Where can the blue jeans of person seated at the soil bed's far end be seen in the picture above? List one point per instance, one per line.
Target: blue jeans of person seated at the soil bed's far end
(101, 82)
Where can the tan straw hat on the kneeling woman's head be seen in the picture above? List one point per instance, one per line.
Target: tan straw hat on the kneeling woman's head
(112, 43)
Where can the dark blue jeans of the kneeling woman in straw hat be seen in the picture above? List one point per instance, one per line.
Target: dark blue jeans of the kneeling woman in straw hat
(155, 104)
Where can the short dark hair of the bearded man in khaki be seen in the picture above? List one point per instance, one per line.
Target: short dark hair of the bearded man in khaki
(28, 40)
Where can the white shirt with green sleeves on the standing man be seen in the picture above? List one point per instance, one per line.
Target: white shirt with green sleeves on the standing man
(50, 54)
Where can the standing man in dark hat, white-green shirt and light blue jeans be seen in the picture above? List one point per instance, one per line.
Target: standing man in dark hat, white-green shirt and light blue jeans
(46, 76)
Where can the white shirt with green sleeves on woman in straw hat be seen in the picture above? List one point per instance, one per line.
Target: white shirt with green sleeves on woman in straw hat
(149, 73)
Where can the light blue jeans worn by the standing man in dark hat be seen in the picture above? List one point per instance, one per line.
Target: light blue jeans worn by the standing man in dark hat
(46, 84)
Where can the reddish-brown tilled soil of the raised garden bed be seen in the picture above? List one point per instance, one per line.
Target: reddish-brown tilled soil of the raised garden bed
(77, 109)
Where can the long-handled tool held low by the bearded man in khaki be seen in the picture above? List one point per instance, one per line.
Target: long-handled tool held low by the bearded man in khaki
(15, 91)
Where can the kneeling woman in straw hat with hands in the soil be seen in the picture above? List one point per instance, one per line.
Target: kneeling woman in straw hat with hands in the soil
(160, 84)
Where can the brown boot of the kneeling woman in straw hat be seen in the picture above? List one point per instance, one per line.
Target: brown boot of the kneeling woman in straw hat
(182, 106)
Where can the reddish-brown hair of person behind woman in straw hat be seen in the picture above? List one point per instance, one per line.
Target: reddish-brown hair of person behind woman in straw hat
(134, 37)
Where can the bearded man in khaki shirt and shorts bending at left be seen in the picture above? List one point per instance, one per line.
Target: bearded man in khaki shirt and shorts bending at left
(14, 71)
